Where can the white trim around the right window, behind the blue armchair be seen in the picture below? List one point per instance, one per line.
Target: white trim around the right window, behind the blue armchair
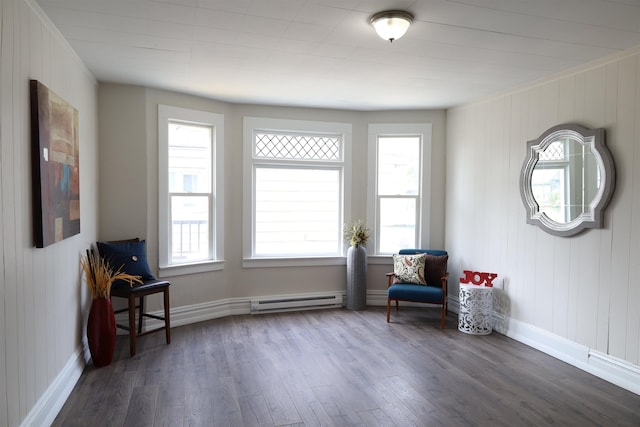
(376, 130)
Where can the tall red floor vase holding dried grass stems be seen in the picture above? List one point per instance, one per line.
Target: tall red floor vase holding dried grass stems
(101, 332)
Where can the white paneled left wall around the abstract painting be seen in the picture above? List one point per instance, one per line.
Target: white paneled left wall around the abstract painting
(42, 301)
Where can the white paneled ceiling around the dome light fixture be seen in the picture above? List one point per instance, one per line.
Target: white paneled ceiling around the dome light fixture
(324, 53)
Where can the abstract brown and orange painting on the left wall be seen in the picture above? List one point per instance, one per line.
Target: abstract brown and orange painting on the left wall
(55, 169)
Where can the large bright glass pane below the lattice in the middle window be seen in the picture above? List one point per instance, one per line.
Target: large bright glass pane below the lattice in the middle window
(297, 212)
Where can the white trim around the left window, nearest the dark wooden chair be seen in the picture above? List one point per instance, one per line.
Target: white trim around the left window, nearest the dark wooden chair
(166, 113)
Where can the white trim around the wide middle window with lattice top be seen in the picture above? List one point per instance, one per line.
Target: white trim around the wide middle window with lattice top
(303, 126)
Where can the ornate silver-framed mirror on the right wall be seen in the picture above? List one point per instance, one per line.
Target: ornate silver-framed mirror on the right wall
(567, 179)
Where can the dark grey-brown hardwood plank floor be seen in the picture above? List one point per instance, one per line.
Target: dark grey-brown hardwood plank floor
(340, 368)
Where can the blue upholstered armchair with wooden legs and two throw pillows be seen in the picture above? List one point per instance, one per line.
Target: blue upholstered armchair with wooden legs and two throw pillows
(419, 275)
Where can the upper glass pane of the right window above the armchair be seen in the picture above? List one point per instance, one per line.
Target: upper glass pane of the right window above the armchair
(398, 165)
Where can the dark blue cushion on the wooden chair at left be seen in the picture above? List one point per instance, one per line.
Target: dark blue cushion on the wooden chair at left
(131, 256)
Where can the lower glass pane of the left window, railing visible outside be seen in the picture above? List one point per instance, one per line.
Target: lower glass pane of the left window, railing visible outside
(189, 228)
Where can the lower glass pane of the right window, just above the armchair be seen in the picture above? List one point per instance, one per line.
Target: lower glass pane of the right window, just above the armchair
(397, 224)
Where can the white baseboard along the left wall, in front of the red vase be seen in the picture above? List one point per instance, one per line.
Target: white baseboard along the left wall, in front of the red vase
(47, 407)
